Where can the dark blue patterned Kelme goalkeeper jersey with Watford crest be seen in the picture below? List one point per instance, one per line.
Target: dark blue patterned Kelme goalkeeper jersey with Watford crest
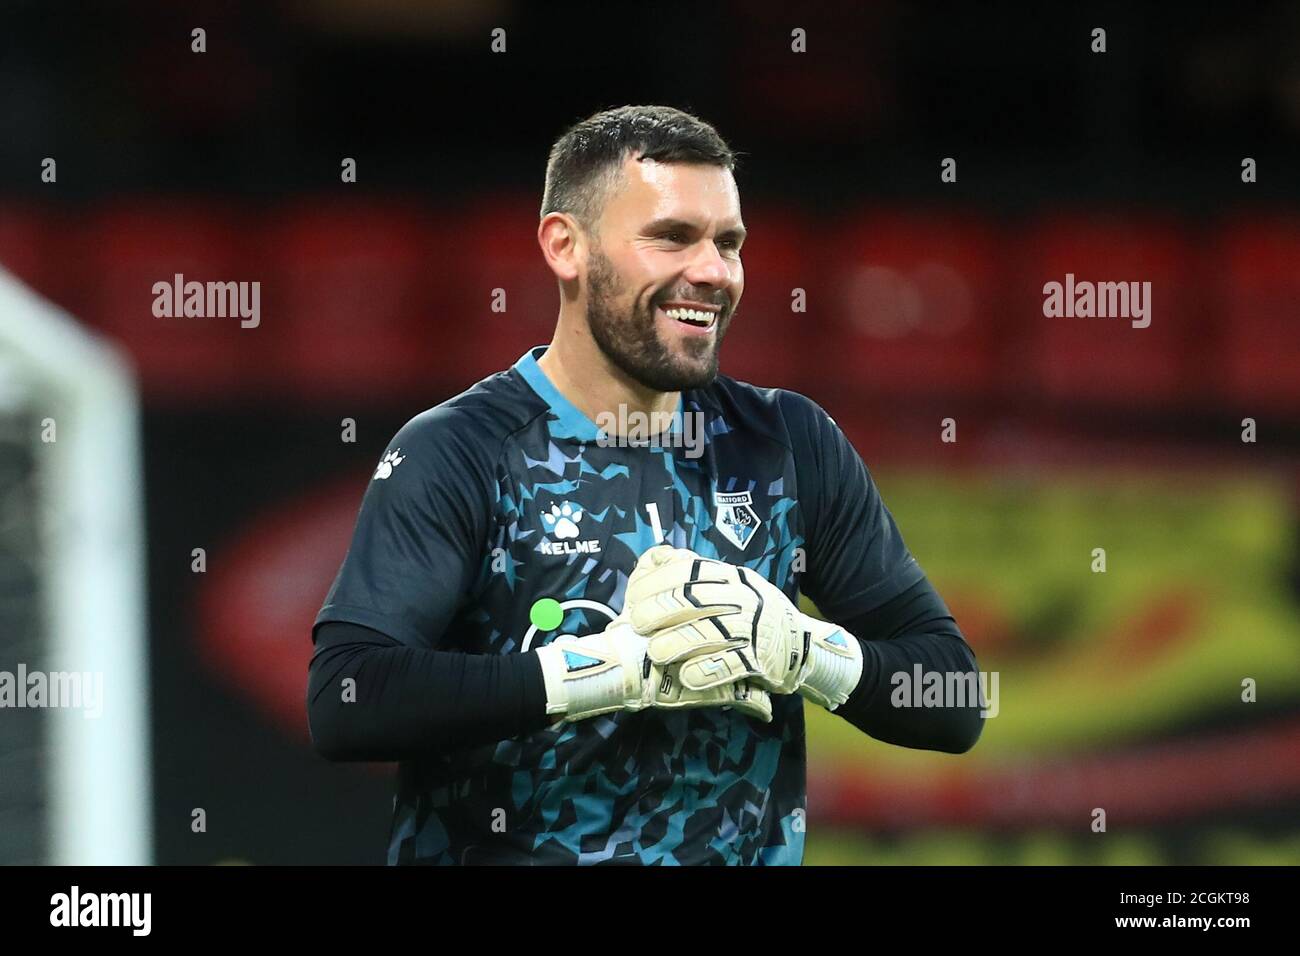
(502, 520)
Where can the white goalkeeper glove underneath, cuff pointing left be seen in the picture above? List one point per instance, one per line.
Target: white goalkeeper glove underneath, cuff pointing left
(608, 672)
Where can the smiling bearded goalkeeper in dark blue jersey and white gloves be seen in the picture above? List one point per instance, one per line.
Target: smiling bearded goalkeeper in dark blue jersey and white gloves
(586, 647)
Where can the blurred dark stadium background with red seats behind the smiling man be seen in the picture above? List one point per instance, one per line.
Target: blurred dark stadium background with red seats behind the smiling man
(925, 302)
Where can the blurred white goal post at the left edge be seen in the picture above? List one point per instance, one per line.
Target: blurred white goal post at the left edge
(77, 401)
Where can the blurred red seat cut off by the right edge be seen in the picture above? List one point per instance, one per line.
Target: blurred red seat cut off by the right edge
(1260, 274)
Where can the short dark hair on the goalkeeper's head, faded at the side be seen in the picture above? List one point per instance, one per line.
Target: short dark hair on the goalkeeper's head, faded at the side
(587, 162)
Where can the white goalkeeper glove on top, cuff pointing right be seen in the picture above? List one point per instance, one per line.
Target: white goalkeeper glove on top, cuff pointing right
(694, 608)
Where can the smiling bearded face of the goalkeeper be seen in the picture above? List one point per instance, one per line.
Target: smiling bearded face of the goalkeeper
(670, 239)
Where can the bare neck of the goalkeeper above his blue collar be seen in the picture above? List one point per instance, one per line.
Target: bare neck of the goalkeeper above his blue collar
(599, 388)
